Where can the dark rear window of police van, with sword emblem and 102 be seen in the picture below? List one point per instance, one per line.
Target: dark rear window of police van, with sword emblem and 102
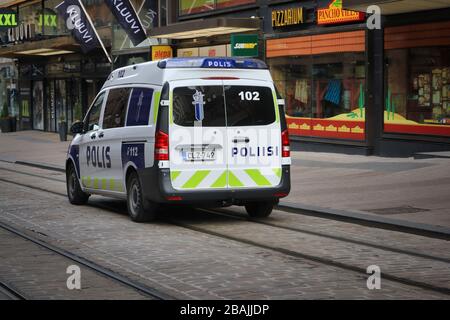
(220, 106)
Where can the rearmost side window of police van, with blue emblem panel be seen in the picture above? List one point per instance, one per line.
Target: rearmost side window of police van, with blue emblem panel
(139, 107)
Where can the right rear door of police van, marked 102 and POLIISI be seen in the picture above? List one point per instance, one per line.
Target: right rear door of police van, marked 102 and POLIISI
(253, 134)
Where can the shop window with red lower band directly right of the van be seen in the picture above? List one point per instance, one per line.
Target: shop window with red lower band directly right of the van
(324, 94)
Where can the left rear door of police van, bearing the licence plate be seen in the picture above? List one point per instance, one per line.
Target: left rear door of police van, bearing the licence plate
(197, 135)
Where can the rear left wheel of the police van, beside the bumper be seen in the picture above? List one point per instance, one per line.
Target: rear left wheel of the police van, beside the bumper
(138, 209)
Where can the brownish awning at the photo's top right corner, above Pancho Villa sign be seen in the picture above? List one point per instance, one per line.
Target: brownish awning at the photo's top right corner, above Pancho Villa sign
(389, 7)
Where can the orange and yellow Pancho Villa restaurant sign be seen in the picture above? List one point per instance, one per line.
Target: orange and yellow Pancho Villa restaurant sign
(335, 14)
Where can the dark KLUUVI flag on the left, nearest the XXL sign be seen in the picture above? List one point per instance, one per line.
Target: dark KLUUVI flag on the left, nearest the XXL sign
(78, 23)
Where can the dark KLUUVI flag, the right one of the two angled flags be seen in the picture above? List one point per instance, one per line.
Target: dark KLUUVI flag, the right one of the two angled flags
(126, 16)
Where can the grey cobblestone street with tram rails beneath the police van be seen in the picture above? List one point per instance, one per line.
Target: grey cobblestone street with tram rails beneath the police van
(198, 254)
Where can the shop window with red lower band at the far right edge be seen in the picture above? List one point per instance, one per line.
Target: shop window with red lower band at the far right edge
(418, 91)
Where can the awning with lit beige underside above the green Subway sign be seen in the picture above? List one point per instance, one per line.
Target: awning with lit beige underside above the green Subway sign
(205, 28)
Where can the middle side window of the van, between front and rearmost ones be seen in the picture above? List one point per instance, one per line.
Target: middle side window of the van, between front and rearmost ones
(116, 108)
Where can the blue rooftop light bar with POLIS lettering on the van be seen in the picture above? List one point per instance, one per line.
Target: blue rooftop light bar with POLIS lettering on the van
(212, 63)
